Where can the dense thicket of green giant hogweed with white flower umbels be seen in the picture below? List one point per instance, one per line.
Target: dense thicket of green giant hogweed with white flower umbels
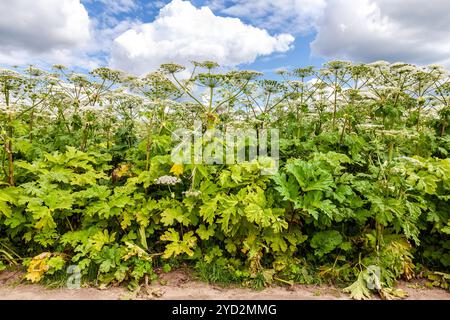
(364, 175)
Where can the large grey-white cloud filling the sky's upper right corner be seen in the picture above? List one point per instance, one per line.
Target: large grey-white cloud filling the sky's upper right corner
(416, 31)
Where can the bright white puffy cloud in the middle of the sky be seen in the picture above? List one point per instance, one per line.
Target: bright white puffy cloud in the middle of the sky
(182, 32)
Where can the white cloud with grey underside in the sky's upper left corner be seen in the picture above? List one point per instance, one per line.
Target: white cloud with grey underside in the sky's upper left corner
(47, 30)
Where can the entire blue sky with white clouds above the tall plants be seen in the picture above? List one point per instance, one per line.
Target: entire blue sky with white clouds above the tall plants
(264, 35)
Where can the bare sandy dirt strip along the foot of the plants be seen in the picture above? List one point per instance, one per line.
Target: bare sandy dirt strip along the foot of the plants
(178, 285)
